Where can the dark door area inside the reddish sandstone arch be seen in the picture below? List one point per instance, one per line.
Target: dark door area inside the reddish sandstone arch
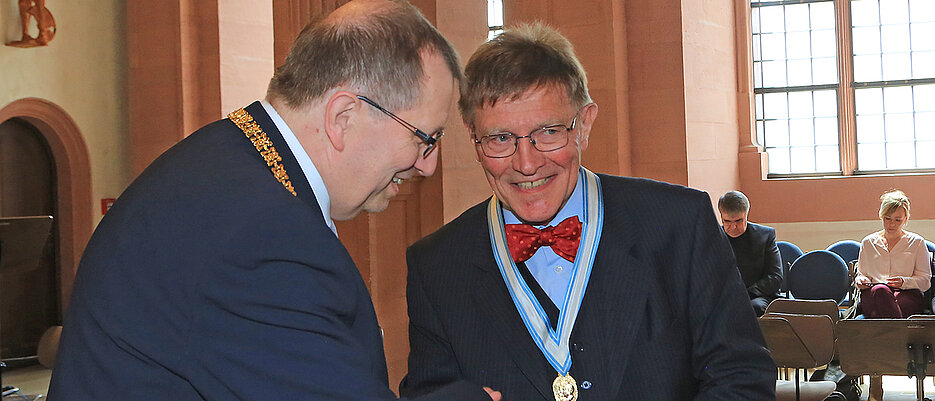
(29, 301)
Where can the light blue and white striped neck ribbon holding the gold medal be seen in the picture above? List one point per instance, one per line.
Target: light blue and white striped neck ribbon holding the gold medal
(552, 343)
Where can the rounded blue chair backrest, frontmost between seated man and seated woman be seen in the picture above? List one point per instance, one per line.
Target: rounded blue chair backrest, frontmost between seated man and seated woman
(819, 275)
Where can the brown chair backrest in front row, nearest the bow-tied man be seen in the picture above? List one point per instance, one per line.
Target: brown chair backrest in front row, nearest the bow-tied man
(798, 341)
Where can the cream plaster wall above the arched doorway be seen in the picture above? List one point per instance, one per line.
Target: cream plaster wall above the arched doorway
(84, 71)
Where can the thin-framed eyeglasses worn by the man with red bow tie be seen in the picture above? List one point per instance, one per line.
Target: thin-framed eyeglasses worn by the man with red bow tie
(545, 139)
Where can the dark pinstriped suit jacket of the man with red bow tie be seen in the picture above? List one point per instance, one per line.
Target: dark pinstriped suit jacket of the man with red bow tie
(658, 321)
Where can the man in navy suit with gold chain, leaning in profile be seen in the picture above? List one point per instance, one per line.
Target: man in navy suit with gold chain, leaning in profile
(218, 274)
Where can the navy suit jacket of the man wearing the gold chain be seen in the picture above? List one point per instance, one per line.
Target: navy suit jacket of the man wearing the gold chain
(208, 280)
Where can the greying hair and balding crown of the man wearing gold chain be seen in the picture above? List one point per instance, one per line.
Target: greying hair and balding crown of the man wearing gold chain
(374, 47)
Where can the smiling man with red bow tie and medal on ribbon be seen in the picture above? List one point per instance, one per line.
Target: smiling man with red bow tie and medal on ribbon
(568, 284)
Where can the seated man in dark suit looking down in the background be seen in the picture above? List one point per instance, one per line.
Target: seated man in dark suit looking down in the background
(754, 248)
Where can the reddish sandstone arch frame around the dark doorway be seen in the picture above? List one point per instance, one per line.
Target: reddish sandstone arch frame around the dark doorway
(52, 129)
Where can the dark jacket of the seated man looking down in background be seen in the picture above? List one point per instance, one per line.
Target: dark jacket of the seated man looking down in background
(758, 260)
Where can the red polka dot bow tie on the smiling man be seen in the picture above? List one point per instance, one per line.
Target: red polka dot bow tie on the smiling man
(524, 240)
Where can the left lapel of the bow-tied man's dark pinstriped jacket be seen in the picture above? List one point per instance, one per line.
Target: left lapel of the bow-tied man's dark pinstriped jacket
(492, 298)
